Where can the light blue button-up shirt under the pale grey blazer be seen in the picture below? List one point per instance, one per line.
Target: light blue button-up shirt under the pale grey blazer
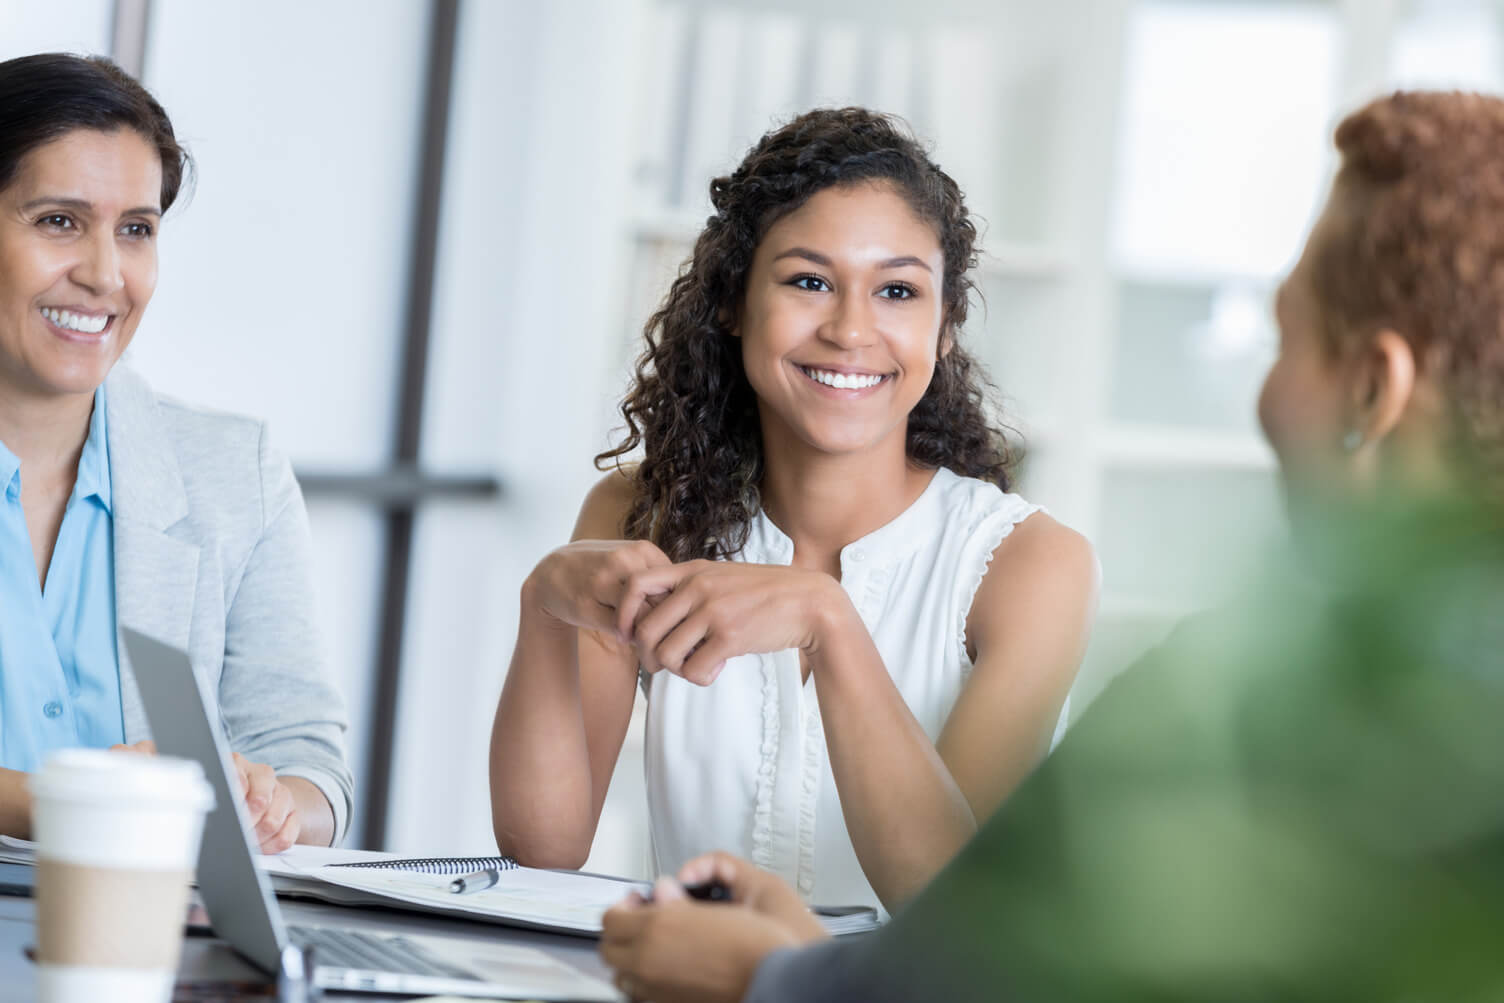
(59, 668)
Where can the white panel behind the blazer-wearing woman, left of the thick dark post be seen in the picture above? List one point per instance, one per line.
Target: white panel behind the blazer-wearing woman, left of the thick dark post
(284, 277)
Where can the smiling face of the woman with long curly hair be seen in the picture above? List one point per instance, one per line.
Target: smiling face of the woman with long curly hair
(841, 321)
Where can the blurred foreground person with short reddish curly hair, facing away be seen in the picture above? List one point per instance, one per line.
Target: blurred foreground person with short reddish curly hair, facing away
(1297, 799)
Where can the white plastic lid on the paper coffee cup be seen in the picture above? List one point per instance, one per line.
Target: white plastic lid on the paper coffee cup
(99, 777)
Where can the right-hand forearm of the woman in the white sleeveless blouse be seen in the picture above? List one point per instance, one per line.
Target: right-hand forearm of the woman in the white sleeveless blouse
(905, 811)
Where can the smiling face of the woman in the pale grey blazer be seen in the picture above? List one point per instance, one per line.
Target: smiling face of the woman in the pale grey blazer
(77, 259)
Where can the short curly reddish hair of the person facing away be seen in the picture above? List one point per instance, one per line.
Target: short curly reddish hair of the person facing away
(1421, 249)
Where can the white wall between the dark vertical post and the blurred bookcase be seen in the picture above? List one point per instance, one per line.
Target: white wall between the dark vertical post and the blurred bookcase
(529, 273)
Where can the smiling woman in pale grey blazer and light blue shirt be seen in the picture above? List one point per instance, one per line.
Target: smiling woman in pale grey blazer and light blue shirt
(123, 509)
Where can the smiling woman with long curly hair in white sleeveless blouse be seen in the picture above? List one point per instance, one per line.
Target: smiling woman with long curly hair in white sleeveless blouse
(854, 643)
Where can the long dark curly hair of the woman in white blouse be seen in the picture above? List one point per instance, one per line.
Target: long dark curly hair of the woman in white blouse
(693, 410)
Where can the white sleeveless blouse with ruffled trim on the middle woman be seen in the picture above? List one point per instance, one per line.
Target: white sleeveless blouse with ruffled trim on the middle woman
(742, 765)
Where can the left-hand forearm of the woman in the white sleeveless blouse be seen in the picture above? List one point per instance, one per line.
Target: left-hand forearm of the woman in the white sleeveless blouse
(541, 780)
